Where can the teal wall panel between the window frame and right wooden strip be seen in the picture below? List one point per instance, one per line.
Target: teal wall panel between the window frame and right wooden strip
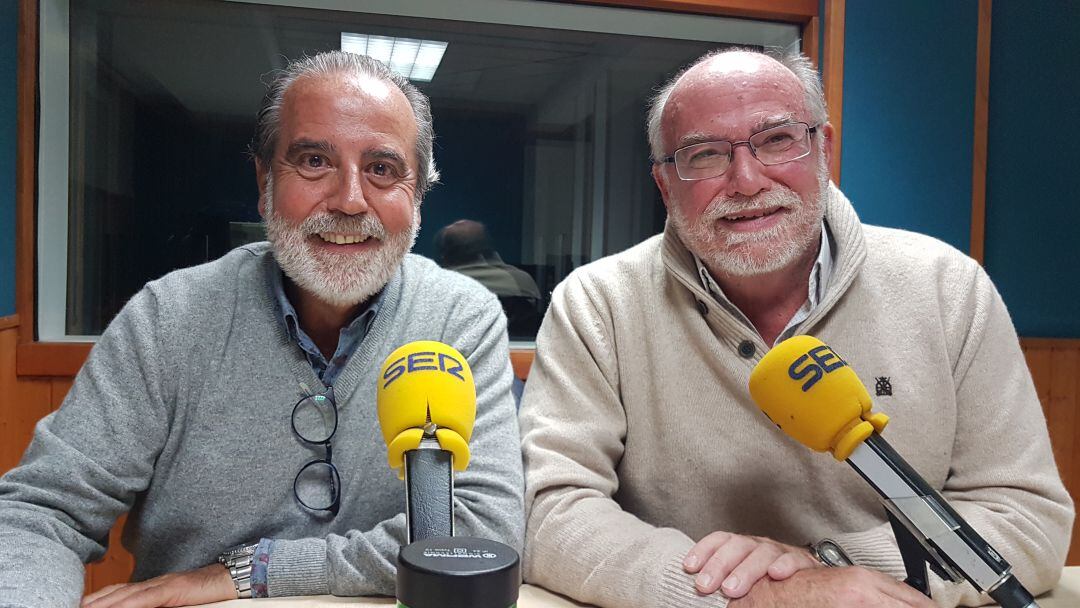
(909, 102)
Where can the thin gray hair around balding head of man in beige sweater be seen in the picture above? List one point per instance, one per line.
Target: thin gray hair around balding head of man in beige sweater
(791, 59)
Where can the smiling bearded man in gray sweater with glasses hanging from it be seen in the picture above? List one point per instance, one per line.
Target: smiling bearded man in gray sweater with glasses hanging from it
(231, 408)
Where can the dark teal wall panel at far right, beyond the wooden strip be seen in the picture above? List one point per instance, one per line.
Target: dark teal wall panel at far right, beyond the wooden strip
(1033, 207)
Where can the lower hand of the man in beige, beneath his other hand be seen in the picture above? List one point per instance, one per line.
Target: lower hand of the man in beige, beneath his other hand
(829, 588)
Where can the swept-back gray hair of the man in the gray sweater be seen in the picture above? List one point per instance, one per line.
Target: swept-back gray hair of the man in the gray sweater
(268, 121)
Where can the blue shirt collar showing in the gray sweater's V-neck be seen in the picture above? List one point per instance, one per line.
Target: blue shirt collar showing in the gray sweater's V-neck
(349, 339)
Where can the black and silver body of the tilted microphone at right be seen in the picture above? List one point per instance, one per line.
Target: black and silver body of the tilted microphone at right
(930, 532)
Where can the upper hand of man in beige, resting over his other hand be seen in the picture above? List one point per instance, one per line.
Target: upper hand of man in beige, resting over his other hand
(734, 563)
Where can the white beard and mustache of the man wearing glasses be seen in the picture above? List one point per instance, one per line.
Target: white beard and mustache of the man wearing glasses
(750, 254)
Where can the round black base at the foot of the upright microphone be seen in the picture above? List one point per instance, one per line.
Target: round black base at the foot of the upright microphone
(458, 573)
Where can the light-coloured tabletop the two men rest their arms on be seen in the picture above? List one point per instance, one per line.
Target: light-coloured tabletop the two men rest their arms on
(1065, 596)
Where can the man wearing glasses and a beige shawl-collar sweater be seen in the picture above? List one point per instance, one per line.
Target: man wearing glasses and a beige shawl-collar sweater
(644, 451)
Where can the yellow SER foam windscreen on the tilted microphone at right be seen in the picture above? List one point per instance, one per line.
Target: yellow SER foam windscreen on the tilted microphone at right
(815, 397)
